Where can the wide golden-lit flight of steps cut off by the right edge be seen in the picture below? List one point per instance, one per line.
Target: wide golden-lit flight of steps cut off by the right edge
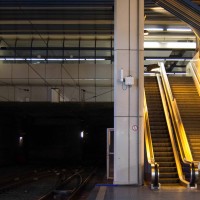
(188, 100)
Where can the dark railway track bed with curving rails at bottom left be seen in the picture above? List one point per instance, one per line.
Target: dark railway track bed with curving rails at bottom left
(51, 184)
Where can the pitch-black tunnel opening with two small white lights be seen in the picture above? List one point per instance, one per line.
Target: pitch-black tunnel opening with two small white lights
(50, 133)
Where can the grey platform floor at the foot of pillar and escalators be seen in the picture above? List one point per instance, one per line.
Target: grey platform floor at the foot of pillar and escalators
(109, 192)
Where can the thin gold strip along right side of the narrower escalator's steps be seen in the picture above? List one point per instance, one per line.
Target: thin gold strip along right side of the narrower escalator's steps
(170, 130)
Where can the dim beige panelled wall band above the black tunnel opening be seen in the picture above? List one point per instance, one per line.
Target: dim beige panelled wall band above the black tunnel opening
(76, 82)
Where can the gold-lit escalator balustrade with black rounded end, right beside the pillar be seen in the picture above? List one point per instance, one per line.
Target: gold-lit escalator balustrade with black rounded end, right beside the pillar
(154, 167)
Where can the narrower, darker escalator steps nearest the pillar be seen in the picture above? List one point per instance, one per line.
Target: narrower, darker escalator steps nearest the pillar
(163, 152)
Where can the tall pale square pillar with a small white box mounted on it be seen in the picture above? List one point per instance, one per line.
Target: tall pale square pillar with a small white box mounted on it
(128, 100)
